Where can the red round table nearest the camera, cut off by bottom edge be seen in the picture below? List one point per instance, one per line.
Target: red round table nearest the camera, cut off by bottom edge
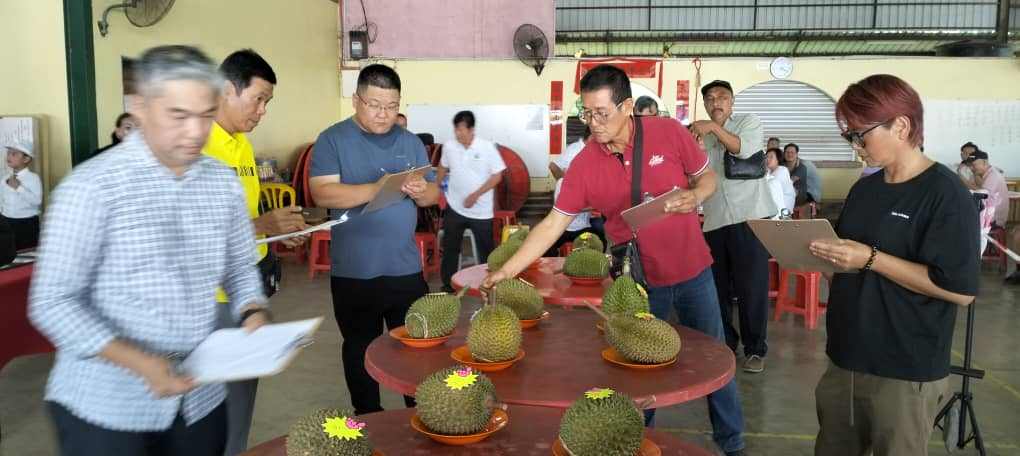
(532, 431)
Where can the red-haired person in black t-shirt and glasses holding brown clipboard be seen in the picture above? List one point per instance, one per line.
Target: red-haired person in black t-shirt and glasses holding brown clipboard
(907, 259)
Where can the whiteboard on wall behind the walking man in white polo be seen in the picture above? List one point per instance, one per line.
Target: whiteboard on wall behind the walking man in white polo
(524, 128)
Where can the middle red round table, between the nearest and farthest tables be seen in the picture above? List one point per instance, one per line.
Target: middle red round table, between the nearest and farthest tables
(564, 359)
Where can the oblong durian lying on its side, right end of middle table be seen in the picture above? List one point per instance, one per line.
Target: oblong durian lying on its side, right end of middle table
(642, 338)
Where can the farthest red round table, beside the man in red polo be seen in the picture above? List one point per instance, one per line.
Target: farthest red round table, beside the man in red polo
(547, 279)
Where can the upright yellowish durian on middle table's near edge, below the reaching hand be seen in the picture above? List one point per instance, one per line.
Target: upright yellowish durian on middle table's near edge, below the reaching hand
(495, 334)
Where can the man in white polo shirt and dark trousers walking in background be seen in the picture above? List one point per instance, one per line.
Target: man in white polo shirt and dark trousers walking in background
(476, 168)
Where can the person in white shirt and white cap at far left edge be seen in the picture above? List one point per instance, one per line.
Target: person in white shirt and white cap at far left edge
(22, 195)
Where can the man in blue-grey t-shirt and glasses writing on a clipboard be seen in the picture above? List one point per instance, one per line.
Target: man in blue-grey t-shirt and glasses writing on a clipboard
(377, 272)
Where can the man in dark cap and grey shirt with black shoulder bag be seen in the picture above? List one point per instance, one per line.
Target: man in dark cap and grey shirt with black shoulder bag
(740, 262)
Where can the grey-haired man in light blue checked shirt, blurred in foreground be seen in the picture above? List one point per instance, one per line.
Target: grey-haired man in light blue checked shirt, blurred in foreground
(134, 245)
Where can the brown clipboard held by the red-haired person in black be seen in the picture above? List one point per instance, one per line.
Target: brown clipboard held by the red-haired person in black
(789, 242)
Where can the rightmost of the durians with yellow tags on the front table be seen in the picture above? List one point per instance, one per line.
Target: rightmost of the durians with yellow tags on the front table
(603, 423)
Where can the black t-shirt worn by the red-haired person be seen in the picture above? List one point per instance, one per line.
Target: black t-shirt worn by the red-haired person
(875, 325)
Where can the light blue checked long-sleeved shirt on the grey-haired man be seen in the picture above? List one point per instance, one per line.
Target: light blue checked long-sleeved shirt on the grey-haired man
(133, 252)
